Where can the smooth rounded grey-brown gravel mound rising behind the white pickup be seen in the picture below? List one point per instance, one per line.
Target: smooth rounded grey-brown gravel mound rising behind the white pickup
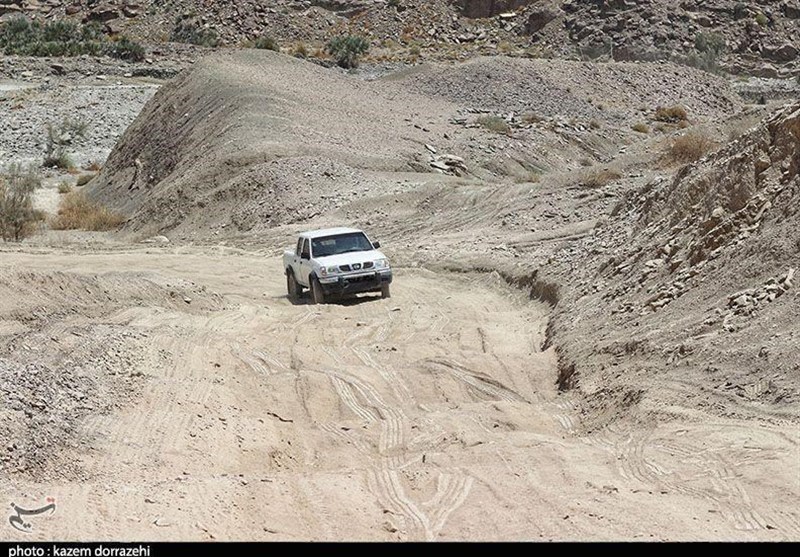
(247, 140)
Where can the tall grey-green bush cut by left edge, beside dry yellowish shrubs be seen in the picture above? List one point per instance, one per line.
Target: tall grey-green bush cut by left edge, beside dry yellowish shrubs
(18, 218)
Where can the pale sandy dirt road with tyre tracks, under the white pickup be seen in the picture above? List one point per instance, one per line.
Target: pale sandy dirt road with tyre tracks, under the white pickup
(432, 415)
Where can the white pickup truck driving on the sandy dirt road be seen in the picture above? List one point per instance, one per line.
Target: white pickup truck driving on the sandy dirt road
(336, 262)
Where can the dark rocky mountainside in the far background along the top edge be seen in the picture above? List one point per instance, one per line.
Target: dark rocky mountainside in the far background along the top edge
(740, 38)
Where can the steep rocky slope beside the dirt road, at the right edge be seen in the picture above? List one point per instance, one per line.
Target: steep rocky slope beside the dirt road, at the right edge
(693, 281)
